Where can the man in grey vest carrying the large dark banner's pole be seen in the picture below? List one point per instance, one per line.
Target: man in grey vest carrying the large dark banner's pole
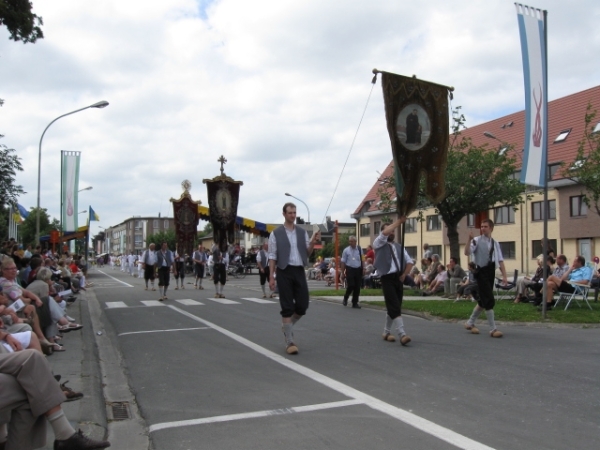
(393, 264)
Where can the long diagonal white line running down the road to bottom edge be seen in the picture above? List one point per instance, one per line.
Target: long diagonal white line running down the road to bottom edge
(408, 418)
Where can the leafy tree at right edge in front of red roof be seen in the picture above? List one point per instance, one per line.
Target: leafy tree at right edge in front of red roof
(585, 168)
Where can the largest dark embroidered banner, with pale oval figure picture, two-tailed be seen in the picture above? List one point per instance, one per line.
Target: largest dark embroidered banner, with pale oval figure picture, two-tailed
(416, 112)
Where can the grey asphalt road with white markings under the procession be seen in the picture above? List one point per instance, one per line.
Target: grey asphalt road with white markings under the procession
(209, 375)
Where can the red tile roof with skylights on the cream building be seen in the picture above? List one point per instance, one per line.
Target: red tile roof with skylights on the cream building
(563, 114)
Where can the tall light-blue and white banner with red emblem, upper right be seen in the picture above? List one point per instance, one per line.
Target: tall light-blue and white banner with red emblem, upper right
(532, 26)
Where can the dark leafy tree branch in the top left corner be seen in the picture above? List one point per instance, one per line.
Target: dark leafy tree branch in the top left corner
(23, 25)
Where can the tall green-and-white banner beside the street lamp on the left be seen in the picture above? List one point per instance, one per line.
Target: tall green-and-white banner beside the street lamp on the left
(69, 189)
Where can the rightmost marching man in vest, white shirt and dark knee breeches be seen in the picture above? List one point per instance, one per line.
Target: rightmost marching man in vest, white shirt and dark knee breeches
(487, 256)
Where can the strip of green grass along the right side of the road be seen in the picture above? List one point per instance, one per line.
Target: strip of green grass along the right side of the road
(504, 310)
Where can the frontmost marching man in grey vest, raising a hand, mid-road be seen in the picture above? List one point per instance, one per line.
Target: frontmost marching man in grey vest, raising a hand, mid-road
(289, 249)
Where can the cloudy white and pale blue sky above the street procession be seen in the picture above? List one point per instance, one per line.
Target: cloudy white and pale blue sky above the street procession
(277, 87)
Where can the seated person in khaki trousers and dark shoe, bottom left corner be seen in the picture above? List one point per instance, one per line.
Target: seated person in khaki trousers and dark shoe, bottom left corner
(28, 395)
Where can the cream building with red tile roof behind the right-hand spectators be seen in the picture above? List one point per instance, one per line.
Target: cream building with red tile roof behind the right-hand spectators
(573, 228)
